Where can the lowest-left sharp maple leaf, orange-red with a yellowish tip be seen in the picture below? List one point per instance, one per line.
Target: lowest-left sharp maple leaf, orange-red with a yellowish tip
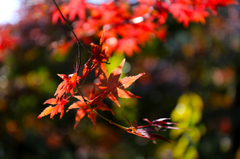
(59, 108)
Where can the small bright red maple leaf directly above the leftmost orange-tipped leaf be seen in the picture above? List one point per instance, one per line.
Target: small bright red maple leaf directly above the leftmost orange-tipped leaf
(67, 85)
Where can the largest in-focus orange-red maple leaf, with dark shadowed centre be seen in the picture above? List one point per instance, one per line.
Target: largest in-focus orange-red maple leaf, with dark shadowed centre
(113, 87)
